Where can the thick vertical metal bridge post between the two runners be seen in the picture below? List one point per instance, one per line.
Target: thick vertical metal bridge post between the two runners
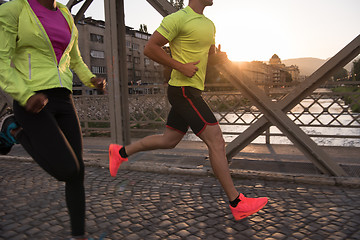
(117, 71)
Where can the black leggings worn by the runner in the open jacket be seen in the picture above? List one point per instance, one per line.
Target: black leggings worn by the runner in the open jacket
(53, 139)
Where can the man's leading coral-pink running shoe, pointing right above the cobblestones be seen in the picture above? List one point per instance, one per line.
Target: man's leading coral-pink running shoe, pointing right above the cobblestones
(247, 206)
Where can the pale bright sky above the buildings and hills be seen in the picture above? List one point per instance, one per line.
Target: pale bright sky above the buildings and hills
(251, 30)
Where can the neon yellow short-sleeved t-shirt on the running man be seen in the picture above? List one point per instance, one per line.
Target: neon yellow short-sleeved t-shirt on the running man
(190, 36)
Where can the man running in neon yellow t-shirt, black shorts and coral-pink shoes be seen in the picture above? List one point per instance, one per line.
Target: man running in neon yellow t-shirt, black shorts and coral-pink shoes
(192, 42)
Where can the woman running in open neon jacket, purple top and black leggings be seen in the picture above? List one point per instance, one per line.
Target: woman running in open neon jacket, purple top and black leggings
(39, 45)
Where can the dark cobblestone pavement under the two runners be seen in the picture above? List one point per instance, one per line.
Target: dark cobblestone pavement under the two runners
(140, 205)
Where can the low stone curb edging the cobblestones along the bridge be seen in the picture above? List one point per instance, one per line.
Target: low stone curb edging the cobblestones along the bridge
(164, 168)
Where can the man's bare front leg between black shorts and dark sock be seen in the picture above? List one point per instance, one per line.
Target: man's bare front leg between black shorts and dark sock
(212, 136)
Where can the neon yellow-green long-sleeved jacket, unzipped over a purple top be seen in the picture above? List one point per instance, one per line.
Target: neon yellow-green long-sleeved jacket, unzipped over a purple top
(27, 59)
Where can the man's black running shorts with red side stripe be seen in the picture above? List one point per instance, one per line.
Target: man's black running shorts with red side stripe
(188, 109)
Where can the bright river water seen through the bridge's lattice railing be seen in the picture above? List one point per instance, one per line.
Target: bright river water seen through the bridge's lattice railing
(329, 123)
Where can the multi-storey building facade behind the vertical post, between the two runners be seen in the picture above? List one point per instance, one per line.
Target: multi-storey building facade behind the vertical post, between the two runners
(92, 44)
